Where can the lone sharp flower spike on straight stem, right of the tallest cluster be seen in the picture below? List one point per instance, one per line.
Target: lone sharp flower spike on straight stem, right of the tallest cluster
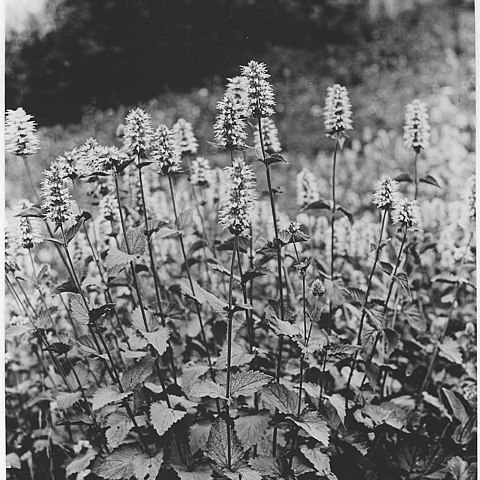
(338, 111)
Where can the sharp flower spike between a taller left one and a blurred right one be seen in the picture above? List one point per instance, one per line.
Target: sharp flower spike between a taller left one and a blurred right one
(164, 151)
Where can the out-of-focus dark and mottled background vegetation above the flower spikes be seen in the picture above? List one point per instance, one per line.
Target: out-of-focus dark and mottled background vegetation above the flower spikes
(79, 65)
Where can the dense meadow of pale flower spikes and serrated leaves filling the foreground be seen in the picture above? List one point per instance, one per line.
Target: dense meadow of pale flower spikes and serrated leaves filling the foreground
(171, 319)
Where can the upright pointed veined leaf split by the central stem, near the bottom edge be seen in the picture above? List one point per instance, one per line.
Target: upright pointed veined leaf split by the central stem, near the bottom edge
(217, 445)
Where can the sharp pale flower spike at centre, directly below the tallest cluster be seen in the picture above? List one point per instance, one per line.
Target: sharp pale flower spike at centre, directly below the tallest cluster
(237, 210)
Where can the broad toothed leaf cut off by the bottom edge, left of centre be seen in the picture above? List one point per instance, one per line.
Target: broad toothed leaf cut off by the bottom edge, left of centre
(119, 465)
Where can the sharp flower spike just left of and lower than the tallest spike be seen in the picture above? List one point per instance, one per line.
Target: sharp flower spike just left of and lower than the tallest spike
(230, 125)
